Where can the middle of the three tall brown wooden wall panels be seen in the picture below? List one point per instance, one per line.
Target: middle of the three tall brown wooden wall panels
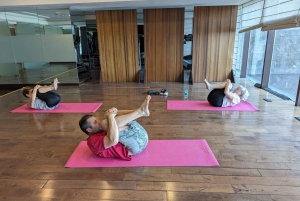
(163, 39)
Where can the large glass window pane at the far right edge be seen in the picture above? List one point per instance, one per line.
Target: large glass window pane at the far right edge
(285, 67)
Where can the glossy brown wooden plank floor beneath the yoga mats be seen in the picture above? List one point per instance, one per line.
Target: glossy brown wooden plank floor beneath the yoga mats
(258, 152)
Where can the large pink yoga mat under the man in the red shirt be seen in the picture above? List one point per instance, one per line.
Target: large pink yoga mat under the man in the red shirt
(157, 153)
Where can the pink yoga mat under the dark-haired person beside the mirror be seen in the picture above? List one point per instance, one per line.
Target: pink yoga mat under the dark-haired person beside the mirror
(62, 108)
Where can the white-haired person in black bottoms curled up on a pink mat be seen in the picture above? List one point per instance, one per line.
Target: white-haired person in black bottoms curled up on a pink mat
(221, 96)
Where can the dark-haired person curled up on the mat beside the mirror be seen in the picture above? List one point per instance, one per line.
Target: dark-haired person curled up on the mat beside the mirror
(42, 97)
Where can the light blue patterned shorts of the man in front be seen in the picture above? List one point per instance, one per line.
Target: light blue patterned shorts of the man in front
(134, 138)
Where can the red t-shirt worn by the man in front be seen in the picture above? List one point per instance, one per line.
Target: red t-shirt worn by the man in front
(96, 145)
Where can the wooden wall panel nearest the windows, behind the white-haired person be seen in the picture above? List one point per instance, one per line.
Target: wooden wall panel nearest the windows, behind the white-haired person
(213, 42)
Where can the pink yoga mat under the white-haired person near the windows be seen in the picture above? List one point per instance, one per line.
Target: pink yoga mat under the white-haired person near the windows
(204, 105)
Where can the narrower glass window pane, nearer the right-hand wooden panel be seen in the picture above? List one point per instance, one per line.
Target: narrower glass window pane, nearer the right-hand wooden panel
(257, 46)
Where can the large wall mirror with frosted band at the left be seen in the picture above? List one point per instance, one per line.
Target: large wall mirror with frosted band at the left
(38, 46)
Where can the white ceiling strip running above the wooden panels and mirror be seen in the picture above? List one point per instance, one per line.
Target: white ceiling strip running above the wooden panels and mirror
(88, 7)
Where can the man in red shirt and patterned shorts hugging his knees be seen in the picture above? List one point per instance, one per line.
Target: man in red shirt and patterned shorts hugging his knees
(118, 135)
